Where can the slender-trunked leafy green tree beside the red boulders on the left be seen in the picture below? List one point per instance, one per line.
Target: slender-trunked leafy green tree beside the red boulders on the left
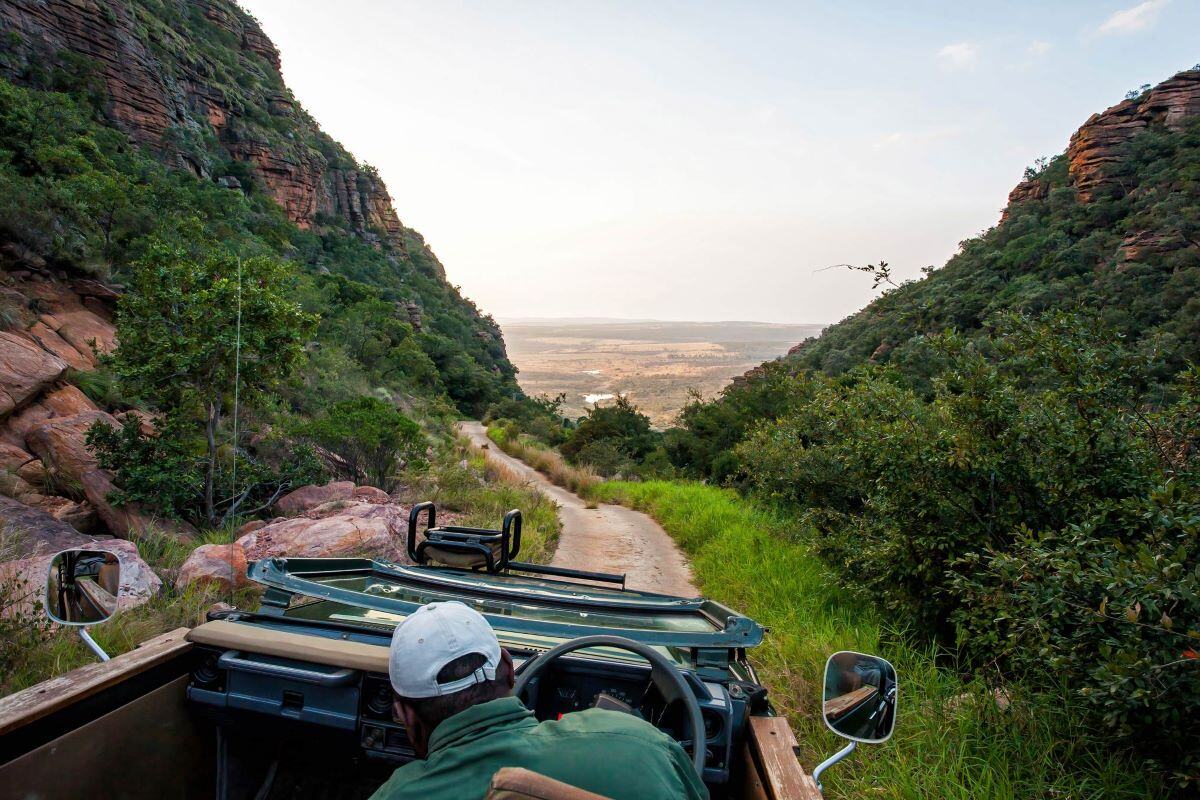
(178, 329)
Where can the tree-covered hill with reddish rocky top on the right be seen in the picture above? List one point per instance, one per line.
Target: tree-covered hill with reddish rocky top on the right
(1111, 227)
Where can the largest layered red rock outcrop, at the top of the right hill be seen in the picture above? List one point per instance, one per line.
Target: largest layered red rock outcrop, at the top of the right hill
(1096, 148)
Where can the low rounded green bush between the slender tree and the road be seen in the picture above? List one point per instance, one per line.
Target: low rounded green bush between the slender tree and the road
(373, 440)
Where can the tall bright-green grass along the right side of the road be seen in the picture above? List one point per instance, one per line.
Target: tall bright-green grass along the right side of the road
(952, 739)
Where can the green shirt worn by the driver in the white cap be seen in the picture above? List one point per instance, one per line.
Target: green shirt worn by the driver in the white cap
(615, 755)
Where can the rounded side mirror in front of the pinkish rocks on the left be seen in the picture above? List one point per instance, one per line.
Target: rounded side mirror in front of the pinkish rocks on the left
(82, 587)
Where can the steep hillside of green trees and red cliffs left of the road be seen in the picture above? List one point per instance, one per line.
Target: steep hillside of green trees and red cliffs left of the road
(219, 141)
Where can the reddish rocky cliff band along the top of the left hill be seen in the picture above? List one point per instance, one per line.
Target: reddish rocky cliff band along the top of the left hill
(172, 93)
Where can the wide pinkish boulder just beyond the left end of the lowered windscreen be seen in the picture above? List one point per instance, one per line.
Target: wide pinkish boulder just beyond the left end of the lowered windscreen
(351, 530)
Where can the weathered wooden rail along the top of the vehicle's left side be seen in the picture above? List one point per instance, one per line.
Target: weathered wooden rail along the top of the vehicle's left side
(56, 694)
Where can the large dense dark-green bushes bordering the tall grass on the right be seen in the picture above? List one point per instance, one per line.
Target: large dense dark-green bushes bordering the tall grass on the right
(1000, 514)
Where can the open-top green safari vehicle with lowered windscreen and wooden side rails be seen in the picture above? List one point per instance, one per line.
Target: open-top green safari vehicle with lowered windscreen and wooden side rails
(293, 700)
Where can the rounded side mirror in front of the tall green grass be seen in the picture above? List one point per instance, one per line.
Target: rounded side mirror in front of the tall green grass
(860, 696)
